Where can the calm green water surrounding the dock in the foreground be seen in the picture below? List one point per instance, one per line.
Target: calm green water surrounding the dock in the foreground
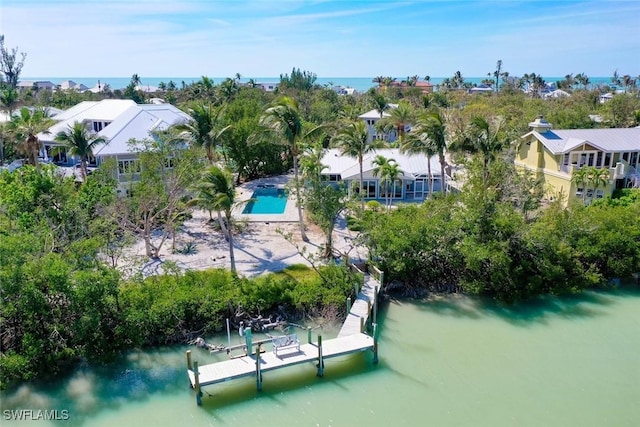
(450, 361)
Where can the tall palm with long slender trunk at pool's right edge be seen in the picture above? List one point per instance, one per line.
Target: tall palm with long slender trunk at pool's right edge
(284, 120)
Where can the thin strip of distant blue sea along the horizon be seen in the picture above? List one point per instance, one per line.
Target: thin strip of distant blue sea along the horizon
(361, 84)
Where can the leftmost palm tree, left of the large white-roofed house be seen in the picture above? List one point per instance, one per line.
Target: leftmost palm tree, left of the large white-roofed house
(26, 126)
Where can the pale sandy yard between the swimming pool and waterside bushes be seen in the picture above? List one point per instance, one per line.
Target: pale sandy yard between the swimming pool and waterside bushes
(258, 246)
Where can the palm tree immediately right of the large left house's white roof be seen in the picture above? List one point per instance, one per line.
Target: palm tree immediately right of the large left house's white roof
(206, 128)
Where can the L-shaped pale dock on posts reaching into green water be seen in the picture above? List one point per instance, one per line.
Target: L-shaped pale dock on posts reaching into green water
(351, 339)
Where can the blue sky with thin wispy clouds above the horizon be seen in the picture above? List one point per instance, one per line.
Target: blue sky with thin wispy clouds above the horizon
(172, 38)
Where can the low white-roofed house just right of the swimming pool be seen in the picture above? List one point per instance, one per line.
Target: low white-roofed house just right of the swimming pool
(418, 175)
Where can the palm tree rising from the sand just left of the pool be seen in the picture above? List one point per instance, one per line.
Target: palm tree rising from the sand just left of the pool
(215, 191)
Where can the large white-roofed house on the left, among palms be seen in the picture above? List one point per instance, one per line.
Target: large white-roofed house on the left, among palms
(118, 122)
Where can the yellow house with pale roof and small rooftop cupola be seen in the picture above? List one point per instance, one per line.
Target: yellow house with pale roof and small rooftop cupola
(558, 155)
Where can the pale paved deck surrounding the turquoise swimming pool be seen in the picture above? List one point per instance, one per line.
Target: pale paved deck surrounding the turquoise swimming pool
(246, 190)
